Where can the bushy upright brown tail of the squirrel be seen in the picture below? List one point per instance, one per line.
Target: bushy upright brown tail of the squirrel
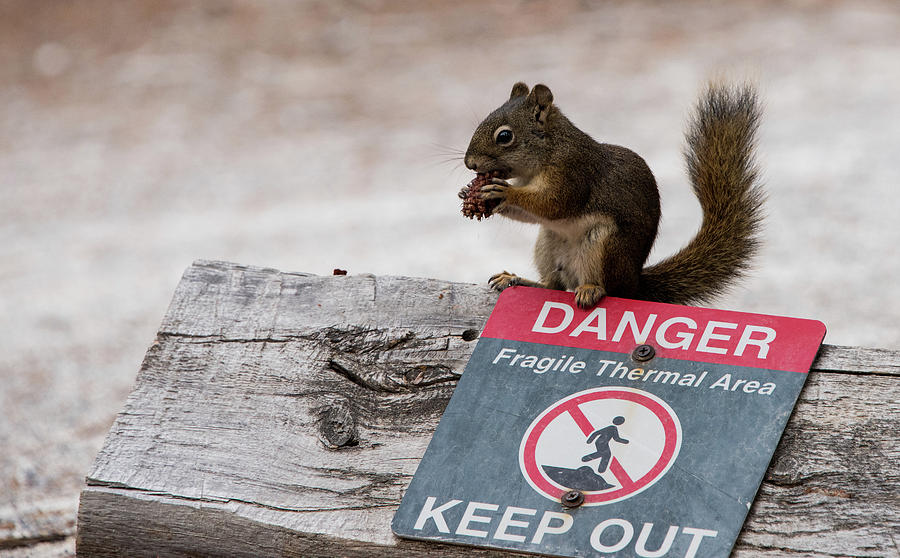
(719, 153)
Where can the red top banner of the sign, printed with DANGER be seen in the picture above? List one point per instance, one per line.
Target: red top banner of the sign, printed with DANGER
(676, 332)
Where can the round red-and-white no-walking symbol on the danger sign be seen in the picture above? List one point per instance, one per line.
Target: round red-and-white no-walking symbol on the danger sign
(609, 443)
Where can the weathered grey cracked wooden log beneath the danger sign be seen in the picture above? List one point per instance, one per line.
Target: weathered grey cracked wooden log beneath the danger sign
(284, 414)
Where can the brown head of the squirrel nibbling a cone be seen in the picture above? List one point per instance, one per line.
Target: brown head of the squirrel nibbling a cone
(512, 139)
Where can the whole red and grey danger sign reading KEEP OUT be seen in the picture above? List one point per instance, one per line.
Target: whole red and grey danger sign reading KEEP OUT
(631, 429)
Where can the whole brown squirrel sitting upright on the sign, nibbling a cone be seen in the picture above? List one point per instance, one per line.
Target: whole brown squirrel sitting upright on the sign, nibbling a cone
(598, 204)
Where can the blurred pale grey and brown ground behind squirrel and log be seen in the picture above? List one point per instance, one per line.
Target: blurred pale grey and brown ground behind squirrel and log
(138, 136)
